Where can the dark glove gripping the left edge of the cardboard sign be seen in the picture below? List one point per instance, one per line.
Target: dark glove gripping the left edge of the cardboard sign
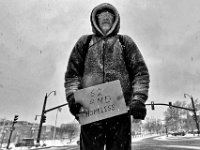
(73, 106)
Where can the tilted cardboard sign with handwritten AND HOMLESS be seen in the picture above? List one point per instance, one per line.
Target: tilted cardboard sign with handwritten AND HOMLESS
(101, 101)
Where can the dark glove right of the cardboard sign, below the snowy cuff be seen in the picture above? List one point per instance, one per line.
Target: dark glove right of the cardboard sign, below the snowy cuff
(138, 109)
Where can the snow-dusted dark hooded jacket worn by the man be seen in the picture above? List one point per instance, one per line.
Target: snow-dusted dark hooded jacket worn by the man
(106, 61)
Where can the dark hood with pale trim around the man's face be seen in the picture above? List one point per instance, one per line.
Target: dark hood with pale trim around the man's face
(116, 25)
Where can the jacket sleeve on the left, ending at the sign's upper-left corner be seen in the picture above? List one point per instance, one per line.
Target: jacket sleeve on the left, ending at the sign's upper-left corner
(75, 67)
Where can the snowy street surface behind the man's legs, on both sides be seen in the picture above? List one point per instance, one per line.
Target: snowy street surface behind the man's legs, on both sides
(156, 143)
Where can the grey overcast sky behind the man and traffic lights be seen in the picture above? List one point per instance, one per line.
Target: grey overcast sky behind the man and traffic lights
(36, 38)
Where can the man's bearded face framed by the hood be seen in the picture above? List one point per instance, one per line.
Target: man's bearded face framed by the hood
(105, 20)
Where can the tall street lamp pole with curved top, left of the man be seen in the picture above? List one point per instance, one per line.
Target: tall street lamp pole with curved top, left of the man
(42, 114)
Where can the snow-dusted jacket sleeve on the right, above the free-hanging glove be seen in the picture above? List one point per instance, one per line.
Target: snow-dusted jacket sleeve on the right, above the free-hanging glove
(137, 69)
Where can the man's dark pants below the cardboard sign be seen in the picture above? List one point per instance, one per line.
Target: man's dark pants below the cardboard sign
(113, 133)
